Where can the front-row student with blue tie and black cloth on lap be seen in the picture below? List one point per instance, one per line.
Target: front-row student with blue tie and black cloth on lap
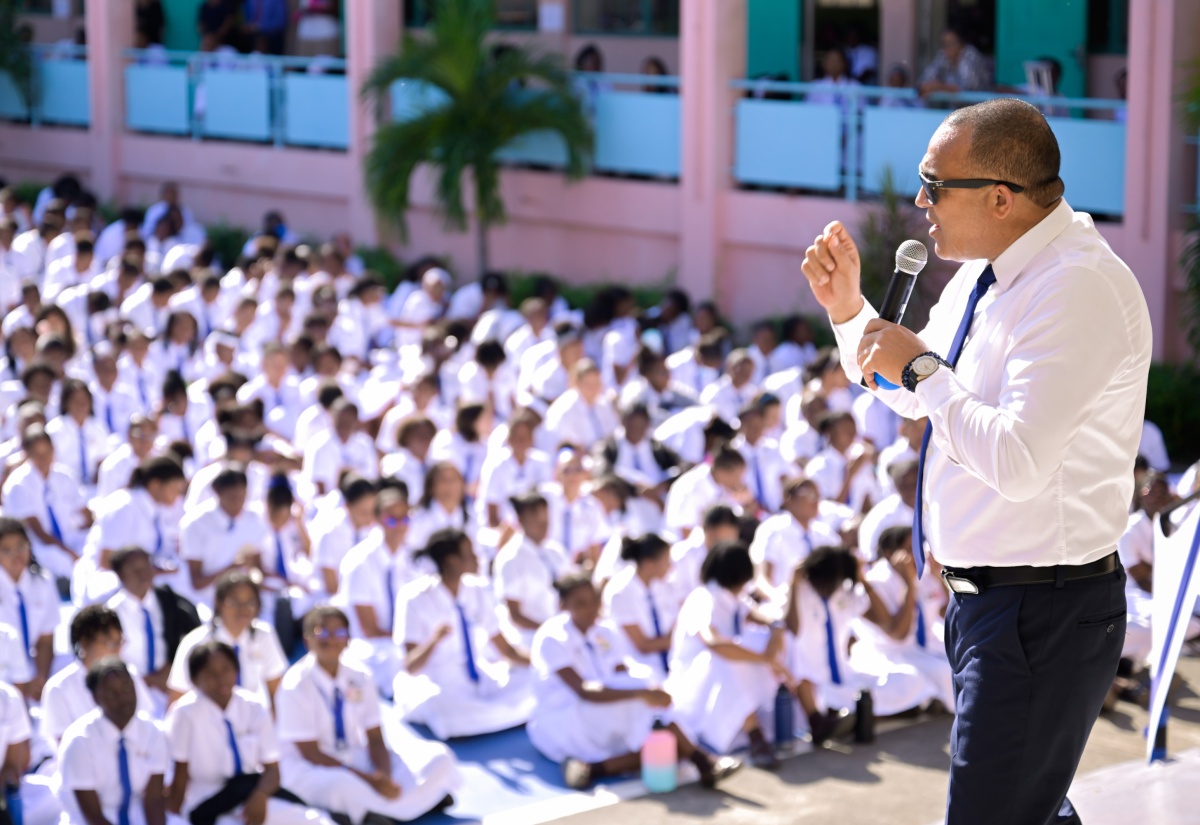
(226, 754)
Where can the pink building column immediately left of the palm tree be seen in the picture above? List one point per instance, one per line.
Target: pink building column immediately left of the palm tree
(373, 32)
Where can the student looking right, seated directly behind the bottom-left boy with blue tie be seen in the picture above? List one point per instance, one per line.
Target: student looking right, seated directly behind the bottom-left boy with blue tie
(95, 636)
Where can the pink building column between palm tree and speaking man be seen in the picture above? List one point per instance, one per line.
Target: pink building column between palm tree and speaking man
(712, 53)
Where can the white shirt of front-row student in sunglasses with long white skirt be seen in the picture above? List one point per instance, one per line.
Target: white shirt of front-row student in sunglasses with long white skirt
(304, 708)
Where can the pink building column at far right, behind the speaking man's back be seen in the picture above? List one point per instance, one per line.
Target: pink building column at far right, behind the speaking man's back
(1162, 38)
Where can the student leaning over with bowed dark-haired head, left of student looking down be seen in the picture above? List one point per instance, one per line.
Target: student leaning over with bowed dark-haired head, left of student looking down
(140, 516)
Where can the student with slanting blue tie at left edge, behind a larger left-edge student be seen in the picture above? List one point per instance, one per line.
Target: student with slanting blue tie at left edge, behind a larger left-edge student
(47, 501)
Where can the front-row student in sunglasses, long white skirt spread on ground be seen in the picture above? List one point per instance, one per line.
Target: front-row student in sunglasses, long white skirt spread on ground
(334, 751)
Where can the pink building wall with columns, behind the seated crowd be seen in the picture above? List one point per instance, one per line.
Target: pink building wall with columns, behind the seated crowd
(743, 249)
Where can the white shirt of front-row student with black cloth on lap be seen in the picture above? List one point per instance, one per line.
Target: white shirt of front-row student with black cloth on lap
(199, 734)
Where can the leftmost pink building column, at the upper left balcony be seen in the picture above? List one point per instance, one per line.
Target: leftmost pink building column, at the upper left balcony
(110, 32)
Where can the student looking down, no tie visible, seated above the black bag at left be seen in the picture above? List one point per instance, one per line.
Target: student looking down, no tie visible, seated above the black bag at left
(221, 535)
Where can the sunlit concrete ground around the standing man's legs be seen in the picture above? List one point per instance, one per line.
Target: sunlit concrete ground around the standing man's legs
(901, 780)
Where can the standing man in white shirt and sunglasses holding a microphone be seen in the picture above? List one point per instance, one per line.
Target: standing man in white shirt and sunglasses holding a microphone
(1033, 372)
